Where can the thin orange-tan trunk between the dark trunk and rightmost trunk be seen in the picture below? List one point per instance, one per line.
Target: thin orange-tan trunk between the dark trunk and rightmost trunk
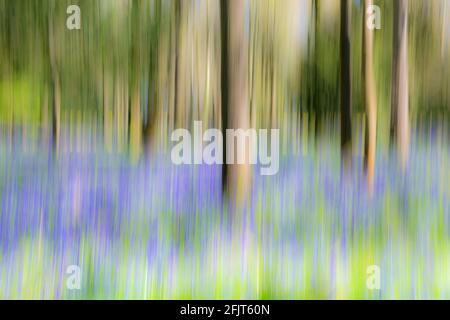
(370, 100)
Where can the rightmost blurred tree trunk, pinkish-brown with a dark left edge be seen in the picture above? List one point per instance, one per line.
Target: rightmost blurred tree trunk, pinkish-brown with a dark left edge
(400, 92)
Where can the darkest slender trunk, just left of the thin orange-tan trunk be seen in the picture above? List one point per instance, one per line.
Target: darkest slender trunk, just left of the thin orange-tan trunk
(346, 86)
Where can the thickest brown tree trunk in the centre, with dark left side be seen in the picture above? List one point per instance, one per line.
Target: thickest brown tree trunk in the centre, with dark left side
(235, 109)
